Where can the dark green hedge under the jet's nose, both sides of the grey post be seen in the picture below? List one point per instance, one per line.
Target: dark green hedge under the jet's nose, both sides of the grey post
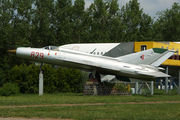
(59, 80)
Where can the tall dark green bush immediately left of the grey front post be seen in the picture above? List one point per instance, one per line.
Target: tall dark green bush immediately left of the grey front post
(26, 77)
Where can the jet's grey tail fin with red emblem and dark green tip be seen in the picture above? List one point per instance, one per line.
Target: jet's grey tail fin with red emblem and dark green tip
(154, 57)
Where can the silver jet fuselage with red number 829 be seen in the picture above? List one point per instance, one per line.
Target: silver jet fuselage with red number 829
(85, 61)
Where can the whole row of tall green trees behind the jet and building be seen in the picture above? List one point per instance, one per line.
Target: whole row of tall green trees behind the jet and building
(38, 23)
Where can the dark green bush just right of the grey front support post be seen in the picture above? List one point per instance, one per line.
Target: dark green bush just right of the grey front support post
(65, 80)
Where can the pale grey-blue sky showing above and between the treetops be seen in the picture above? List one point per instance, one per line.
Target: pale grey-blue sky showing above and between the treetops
(150, 7)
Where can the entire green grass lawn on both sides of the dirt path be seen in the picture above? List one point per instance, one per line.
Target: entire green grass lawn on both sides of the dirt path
(110, 111)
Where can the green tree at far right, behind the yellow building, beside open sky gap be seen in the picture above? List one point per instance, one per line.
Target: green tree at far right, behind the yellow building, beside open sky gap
(167, 26)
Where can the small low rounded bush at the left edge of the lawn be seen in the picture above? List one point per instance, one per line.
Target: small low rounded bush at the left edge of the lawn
(8, 89)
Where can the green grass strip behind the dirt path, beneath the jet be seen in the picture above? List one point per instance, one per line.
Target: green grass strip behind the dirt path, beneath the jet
(74, 98)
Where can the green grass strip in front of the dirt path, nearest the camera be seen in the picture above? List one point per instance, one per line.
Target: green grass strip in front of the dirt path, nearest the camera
(129, 112)
